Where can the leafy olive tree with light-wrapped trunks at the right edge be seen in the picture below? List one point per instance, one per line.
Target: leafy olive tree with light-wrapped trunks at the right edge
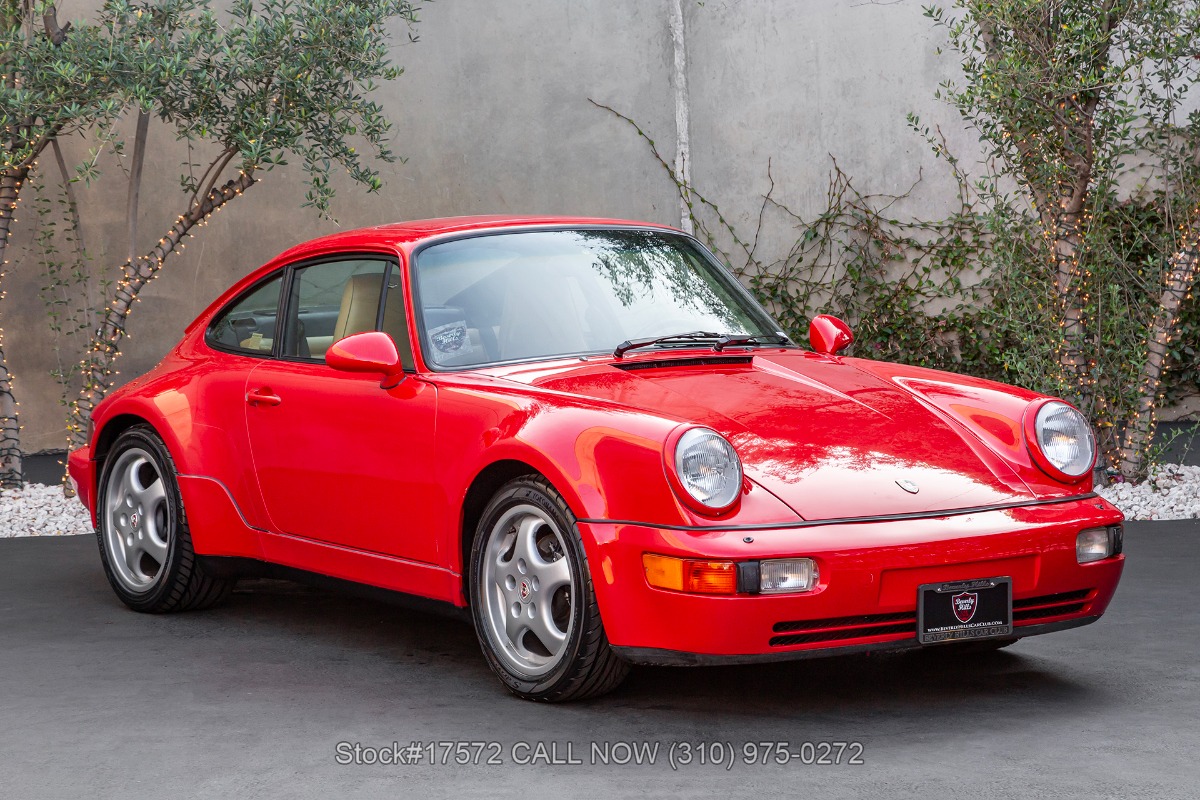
(1083, 106)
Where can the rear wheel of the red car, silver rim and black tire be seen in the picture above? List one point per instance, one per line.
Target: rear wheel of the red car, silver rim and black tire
(143, 584)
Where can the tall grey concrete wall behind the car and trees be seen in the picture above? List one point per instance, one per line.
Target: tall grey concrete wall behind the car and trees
(494, 117)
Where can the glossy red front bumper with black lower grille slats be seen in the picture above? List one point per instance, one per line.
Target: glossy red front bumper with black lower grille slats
(867, 598)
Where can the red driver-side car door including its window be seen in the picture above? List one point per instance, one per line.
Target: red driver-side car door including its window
(338, 459)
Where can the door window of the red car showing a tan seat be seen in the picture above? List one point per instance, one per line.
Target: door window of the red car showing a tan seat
(329, 302)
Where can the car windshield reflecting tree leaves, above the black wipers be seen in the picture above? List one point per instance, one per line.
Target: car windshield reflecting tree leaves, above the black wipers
(544, 294)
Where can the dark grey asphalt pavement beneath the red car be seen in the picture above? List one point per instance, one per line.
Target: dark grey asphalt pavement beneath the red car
(267, 695)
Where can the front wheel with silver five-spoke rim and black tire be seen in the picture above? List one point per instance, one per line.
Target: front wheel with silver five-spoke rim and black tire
(532, 599)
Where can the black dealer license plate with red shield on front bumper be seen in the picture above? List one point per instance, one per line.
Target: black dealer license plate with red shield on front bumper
(965, 610)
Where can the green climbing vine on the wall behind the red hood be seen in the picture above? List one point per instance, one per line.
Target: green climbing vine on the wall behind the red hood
(957, 293)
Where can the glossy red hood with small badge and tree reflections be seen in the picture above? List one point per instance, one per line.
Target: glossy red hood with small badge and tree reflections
(829, 440)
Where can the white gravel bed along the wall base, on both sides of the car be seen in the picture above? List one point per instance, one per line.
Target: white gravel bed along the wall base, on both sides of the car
(1173, 492)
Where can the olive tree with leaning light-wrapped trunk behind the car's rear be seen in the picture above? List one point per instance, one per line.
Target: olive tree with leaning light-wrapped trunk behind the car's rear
(266, 83)
